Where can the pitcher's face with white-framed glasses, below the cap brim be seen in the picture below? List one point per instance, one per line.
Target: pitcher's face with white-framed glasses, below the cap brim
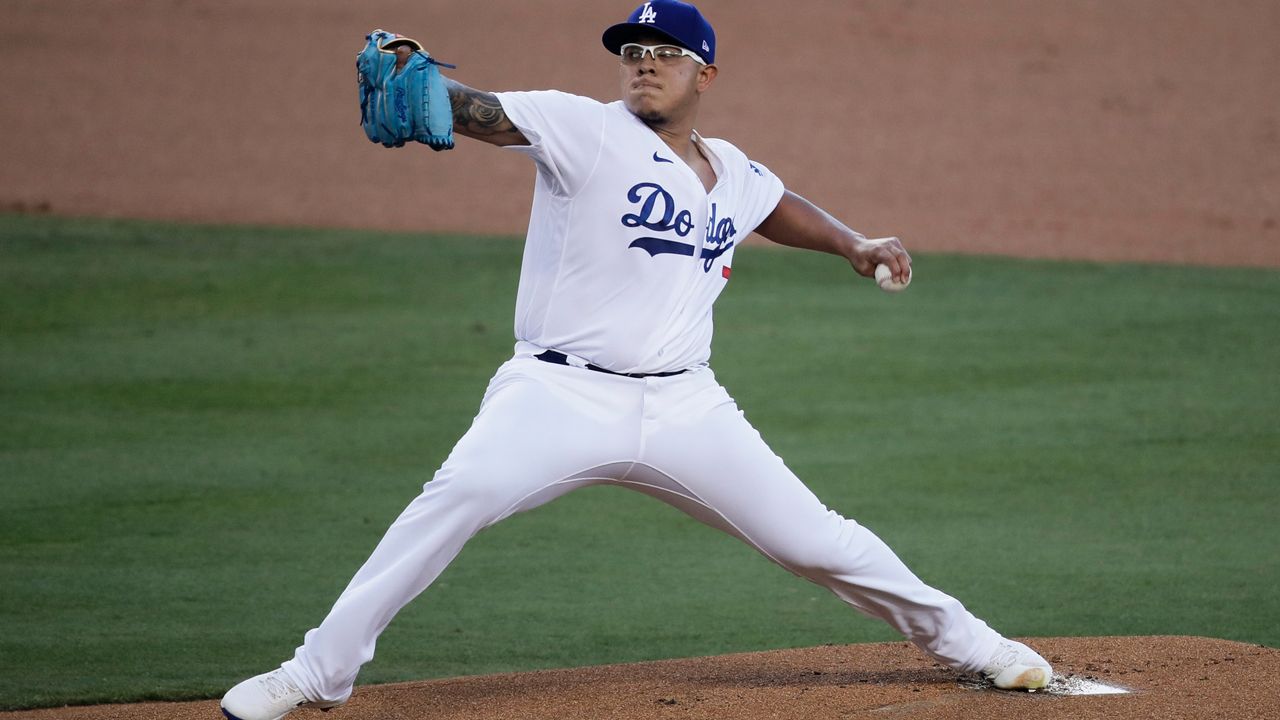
(661, 92)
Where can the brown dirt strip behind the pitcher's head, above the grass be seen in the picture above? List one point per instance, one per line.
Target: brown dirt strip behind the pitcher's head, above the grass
(1142, 130)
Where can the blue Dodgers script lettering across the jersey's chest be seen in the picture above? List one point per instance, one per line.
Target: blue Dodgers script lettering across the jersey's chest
(659, 213)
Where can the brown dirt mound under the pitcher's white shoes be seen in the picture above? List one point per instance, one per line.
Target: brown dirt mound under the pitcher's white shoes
(1167, 677)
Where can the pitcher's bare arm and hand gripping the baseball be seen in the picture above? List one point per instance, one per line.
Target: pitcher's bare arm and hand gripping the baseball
(799, 224)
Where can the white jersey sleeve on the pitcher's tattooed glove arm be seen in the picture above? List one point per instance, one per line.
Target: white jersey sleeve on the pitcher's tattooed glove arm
(565, 133)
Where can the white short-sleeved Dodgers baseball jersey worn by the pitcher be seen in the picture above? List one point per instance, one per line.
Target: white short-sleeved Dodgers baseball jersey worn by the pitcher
(627, 250)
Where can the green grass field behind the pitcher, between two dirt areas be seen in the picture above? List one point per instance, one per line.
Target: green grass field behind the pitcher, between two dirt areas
(204, 432)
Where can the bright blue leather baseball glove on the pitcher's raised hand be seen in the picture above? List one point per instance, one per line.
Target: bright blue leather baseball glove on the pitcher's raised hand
(403, 94)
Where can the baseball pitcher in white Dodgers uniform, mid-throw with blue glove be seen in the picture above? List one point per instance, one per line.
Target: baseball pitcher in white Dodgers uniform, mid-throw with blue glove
(632, 239)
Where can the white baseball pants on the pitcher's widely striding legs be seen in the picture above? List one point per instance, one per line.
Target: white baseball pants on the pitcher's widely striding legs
(546, 430)
